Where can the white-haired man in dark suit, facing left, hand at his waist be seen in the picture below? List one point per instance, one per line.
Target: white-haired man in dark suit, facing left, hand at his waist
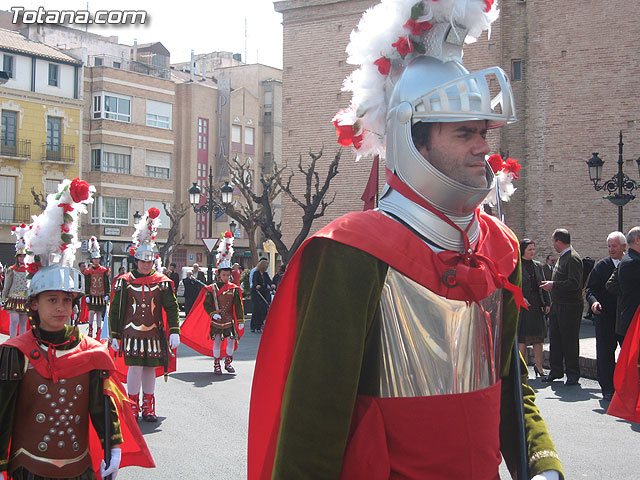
(603, 305)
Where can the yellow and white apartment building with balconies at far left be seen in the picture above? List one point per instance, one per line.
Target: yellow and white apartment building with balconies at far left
(40, 104)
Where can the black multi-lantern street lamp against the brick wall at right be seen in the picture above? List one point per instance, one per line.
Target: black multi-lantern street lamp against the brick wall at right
(616, 184)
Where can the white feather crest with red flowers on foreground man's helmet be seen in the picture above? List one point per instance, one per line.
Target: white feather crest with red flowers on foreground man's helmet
(379, 28)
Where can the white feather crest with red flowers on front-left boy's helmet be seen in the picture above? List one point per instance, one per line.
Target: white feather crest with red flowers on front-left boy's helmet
(53, 236)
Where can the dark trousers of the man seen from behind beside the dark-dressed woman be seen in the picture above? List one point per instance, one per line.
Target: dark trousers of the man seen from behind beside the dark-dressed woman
(564, 340)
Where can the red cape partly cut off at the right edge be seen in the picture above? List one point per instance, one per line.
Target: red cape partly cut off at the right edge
(626, 400)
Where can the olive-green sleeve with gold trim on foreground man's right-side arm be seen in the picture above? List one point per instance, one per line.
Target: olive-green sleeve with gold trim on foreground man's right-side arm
(541, 452)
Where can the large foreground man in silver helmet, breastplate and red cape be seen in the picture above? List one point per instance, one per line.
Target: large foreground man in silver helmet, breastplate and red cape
(388, 349)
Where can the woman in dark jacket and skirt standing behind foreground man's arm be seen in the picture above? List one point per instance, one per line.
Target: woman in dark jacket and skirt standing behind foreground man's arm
(532, 326)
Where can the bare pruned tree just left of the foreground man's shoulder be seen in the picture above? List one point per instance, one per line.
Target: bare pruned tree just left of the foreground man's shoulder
(312, 202)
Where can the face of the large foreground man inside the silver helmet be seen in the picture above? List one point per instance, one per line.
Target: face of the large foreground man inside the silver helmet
(458, 150)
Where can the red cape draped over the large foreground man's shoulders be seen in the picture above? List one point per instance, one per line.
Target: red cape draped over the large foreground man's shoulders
(388, 240)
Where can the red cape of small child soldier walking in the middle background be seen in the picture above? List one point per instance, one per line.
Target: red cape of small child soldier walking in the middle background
(194, 331)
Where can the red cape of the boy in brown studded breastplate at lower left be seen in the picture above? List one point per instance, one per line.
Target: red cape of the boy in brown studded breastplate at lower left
(93, 356)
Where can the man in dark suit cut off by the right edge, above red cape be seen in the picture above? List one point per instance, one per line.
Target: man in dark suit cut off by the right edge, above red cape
(629, 283)
